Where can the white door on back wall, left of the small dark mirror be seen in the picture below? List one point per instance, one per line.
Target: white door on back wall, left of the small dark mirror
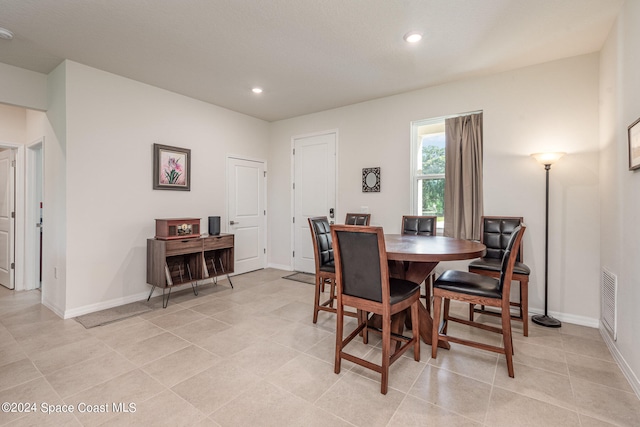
(314, 191)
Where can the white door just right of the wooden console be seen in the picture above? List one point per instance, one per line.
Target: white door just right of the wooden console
(246, 181)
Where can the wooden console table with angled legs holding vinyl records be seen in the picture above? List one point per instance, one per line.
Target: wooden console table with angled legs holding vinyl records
(187, 261)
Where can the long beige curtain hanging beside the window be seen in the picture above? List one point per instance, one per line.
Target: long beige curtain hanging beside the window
(463, 177)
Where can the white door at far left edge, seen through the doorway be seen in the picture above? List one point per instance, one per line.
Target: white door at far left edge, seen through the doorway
(7, 200)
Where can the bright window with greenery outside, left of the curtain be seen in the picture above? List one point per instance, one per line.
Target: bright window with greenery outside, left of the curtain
(428, 163)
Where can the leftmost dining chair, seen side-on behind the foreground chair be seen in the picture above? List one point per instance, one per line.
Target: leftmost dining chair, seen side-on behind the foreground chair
(325, 266)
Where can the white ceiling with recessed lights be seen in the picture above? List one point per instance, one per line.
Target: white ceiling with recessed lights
(307, 55)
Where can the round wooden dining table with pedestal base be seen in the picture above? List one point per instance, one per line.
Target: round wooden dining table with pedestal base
(413, 258)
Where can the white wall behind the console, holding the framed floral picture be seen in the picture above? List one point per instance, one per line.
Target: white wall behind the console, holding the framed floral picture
(112, 123)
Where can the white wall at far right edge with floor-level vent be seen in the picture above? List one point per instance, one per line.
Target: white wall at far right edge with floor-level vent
(620, 188)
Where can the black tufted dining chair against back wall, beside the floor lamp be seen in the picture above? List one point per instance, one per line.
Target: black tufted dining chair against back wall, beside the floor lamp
(495, 234)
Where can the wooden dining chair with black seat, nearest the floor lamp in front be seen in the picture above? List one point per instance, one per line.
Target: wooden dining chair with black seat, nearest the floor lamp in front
(477, 289)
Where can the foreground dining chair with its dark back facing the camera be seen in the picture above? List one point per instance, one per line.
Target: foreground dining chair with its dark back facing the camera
(363, 282)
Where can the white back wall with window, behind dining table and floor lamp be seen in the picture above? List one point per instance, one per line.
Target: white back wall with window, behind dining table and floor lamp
(552, 106)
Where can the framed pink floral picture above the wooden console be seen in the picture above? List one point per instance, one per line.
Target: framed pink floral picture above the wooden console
(171, 168)
